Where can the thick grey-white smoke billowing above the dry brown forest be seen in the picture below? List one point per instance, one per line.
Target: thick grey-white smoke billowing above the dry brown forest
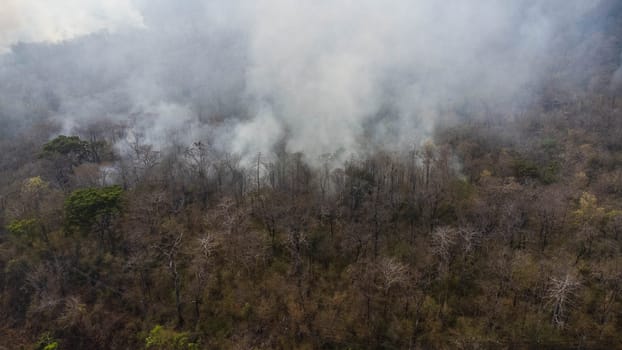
(319, 76)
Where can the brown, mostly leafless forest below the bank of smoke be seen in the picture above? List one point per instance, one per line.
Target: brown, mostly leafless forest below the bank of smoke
(478, 239)
